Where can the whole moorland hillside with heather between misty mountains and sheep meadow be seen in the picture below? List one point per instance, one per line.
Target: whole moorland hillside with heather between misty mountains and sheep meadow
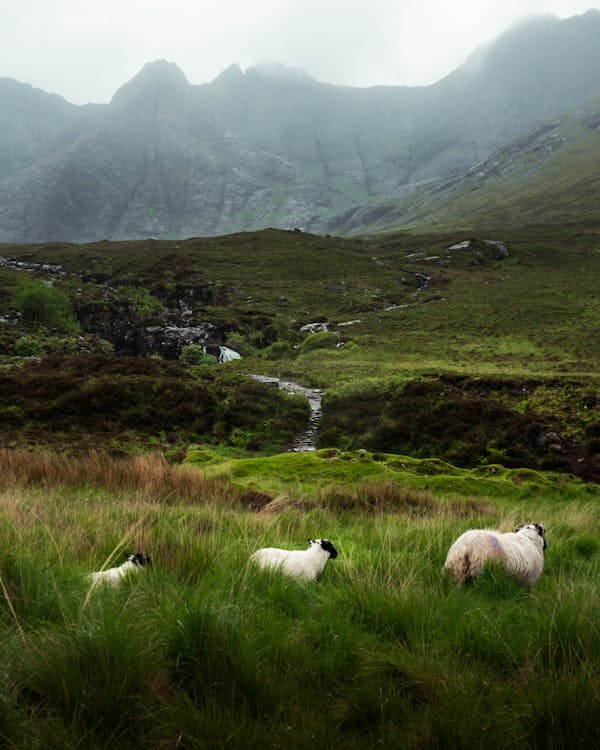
(473, 347)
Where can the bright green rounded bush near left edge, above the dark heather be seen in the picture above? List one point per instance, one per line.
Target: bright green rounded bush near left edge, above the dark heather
(44, 304)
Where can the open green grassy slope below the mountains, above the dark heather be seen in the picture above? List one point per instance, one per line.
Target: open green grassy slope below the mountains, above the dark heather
(462, 321)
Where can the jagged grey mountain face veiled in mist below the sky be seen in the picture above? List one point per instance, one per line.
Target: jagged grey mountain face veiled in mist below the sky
(271, 147)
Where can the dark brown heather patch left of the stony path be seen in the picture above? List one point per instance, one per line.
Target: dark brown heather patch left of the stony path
(122, 402)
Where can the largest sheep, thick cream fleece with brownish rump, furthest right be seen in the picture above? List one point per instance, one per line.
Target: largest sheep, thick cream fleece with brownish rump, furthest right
(521, 553)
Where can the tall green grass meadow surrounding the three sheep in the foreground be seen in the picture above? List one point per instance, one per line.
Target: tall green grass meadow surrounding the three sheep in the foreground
(203, 651)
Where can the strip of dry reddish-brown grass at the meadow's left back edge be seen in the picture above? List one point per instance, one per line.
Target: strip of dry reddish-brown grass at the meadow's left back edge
(150, 475)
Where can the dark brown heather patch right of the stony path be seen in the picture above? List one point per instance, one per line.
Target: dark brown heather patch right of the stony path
(438, 417)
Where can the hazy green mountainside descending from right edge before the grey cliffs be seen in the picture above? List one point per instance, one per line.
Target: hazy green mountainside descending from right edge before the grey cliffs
(550, 176)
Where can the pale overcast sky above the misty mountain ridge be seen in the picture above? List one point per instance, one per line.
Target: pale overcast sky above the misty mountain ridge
(85, 49)
